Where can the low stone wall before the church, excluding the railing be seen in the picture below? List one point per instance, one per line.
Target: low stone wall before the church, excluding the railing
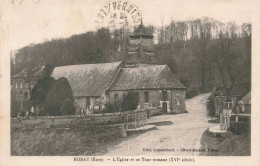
(71, 121)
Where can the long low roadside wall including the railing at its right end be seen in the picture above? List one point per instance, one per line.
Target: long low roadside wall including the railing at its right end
(132, 119)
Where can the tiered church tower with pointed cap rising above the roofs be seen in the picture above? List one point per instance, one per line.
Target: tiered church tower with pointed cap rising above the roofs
(141, 50)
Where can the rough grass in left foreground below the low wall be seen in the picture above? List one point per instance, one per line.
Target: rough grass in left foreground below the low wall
(51, 142)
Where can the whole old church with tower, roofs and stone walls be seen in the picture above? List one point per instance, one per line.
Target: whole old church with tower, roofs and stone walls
(93, 85)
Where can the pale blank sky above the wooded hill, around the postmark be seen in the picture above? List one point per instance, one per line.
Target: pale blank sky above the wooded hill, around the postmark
(34, 21)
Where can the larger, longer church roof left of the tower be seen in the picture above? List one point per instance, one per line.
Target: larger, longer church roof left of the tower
(88, 79)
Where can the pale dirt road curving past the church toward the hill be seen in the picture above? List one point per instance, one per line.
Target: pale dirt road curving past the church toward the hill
(182, 131)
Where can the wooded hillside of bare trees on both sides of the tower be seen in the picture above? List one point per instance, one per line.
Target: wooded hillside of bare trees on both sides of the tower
(205, 52)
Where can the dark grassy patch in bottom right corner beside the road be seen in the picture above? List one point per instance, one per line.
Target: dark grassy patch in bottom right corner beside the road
(237, 144)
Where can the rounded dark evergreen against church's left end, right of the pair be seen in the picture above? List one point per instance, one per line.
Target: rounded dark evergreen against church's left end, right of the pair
(60, 91)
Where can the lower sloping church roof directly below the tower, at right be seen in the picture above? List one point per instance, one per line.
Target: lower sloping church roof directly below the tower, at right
(148, 77)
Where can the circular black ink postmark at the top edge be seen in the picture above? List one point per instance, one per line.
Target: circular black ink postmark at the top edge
(117, 14)
